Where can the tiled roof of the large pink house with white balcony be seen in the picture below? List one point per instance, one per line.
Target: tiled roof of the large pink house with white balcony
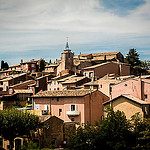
(64, 93)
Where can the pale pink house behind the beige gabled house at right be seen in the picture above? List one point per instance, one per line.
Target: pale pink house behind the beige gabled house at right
(137, 87)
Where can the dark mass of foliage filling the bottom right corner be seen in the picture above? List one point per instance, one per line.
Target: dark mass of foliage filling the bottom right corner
(114, 132)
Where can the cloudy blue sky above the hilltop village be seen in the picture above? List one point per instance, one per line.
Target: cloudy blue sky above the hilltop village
(38, 28)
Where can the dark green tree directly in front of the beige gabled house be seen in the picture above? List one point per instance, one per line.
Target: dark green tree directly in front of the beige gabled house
(115, 131)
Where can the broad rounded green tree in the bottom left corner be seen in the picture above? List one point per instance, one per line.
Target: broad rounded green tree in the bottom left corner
(16, 123)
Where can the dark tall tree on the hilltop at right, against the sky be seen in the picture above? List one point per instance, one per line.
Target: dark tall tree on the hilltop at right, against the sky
(133, 58)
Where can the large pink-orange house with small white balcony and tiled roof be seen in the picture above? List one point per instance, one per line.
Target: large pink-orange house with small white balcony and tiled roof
(83, 106)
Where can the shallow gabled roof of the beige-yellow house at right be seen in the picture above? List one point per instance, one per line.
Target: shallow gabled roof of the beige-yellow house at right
(129, 97)
